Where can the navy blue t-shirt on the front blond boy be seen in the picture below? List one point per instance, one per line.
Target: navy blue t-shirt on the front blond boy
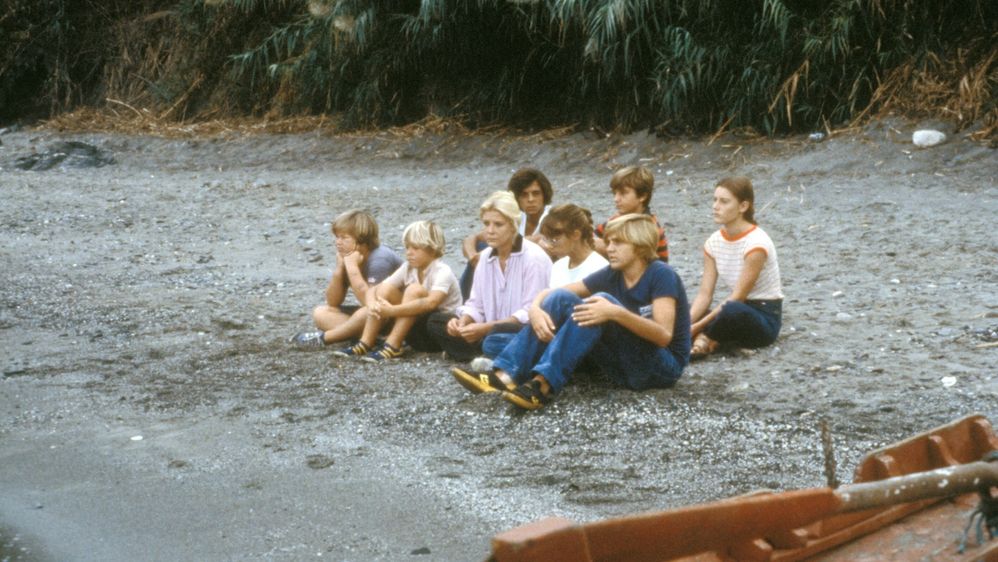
(659, 280)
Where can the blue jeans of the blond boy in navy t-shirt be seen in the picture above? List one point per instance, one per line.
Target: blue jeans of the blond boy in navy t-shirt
(625, 358)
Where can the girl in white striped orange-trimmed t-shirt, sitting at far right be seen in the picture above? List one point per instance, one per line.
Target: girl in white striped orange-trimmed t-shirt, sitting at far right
(743, 257)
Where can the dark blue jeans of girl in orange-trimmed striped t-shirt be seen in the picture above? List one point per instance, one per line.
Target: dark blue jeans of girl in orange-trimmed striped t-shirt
(754, 323)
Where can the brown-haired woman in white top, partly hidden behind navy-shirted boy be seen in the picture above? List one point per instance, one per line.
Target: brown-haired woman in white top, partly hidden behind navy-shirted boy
(567, 236)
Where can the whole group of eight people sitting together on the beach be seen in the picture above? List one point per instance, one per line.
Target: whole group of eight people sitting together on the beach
(546, 293)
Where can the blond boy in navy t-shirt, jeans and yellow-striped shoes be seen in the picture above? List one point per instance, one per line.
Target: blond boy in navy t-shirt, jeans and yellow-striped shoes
(632, 317)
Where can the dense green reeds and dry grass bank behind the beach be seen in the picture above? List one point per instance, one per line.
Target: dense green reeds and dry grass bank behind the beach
(672, 65)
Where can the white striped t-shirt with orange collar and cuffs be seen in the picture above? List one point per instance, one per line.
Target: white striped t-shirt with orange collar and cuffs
(729, 257)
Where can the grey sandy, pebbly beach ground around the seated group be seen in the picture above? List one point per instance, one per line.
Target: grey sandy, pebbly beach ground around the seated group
(150, 407)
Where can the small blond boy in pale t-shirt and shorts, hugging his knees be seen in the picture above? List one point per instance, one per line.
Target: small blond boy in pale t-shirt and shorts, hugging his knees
(422, 285)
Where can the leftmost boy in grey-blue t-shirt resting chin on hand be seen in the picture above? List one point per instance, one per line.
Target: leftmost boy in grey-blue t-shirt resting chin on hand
(361, 262)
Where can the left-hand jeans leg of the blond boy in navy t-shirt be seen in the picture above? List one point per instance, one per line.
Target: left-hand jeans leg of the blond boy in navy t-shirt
(521, 355)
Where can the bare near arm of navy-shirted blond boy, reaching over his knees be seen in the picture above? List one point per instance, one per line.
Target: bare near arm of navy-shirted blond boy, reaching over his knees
(596, 310)
